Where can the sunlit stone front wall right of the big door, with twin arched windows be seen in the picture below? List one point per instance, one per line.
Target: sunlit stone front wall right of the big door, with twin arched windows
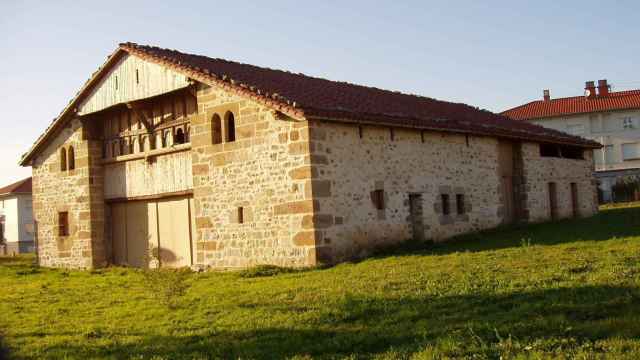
(265, 171)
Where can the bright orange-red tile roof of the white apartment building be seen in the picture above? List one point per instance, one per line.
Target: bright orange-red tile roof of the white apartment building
(619, 100)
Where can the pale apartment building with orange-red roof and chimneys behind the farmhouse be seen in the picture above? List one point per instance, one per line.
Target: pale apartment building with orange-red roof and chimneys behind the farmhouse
(610, 118)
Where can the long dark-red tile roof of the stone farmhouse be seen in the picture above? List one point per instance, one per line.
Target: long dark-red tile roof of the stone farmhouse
(313, 97)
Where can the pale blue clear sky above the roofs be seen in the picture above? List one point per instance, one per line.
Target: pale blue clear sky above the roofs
(494, 56)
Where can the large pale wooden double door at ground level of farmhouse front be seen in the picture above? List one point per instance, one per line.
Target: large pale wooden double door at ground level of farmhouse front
(152, 229)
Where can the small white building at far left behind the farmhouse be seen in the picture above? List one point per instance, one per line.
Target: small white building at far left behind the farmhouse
(16, 218)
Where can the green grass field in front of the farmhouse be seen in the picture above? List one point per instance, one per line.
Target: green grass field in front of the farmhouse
(564, 290)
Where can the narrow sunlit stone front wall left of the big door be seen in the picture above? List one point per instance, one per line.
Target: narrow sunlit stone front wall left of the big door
(78, 192)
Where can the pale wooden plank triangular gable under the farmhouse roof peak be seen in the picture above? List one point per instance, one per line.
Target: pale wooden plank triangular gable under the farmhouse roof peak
(131, 78)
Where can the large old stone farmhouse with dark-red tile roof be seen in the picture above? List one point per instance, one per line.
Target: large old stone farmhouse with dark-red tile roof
(207, 162)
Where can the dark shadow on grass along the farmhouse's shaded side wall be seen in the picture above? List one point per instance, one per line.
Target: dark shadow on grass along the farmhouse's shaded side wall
(608, 224)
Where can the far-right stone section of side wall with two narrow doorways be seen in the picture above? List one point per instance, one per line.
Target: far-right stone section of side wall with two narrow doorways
(540, 171)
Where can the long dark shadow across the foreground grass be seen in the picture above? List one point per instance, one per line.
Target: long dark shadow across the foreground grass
(373, 325)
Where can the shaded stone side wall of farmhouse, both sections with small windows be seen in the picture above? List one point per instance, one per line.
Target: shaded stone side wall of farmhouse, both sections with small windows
(356, 161)
